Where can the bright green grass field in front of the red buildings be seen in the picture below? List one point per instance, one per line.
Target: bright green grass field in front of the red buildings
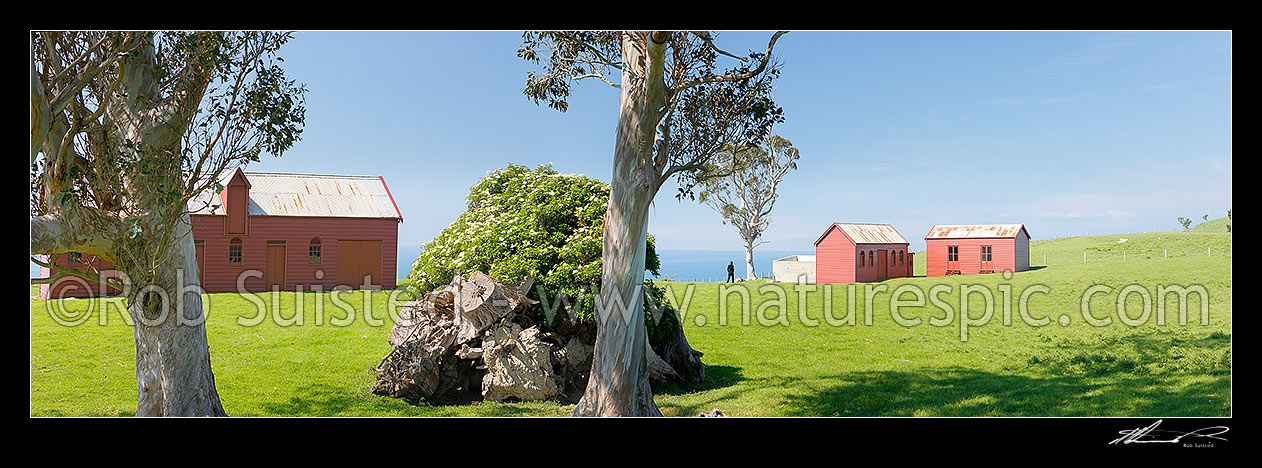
(778, 365)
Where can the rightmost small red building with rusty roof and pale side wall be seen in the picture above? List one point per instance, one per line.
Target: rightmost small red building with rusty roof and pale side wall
(969, 250)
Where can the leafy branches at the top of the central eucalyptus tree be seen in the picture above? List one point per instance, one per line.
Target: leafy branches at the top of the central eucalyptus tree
(706, 108)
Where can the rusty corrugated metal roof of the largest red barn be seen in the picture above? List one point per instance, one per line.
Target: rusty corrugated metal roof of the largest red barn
(310, 195)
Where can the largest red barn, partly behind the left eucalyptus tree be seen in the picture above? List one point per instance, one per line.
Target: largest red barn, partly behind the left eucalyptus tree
(282, 231)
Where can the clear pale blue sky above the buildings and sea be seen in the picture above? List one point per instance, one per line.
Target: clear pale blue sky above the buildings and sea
(1067, 132)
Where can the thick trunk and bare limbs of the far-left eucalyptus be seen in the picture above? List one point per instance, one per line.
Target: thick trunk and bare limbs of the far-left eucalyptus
(174, 365)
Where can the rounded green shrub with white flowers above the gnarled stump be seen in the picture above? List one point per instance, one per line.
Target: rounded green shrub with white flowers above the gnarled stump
(521, 224)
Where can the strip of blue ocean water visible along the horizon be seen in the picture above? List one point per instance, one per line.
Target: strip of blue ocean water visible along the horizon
(690, 266)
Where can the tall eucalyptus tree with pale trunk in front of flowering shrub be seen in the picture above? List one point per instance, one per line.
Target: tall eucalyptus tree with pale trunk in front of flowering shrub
(678, 109)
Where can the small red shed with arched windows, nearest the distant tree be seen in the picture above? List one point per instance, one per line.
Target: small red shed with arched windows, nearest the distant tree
(861, 253)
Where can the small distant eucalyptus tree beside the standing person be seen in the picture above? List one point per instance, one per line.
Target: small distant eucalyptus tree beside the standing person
(740, 184)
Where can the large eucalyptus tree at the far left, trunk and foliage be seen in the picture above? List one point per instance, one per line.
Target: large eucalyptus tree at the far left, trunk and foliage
(127, 129)
